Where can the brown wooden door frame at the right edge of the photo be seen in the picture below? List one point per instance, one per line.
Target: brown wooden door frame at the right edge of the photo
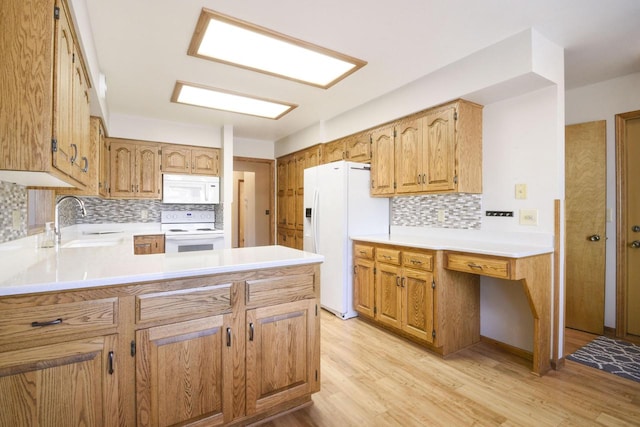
(621, 222)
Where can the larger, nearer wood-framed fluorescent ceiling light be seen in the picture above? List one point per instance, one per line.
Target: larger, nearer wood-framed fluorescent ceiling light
(228, 40)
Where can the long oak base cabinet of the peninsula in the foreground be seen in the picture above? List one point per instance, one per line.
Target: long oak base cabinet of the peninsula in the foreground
(226, 349)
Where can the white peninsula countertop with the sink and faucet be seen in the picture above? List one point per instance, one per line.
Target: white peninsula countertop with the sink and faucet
(102, 259)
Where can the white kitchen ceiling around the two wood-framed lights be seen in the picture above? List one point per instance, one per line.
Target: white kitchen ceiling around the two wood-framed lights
(141, 48)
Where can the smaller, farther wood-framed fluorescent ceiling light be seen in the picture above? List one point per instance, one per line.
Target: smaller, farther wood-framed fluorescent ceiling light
(218, 99)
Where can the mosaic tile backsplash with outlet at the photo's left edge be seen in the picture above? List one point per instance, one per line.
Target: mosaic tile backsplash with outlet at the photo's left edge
(13, 201)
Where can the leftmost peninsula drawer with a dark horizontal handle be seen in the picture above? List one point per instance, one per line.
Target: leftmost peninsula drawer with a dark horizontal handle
(29, 323)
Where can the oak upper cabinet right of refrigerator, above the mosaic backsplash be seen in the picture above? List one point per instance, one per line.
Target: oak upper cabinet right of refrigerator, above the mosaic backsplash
(437, 151)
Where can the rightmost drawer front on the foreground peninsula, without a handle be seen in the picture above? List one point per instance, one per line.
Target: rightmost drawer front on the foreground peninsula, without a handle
(280, 289)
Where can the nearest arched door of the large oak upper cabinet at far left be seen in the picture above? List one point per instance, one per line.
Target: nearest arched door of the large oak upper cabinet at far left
(63, 94)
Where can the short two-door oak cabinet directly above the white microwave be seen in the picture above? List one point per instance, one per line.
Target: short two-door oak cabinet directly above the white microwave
(190, 160)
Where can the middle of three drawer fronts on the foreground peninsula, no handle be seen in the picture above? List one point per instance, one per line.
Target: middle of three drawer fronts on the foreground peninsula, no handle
(184, 303)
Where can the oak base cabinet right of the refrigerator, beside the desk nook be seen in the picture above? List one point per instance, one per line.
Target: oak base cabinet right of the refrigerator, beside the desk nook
(408, 291)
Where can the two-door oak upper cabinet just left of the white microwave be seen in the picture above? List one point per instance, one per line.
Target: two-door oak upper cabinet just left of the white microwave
(135, 169)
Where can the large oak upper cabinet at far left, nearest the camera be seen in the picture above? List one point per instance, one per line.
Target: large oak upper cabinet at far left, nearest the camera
(44, 108)
